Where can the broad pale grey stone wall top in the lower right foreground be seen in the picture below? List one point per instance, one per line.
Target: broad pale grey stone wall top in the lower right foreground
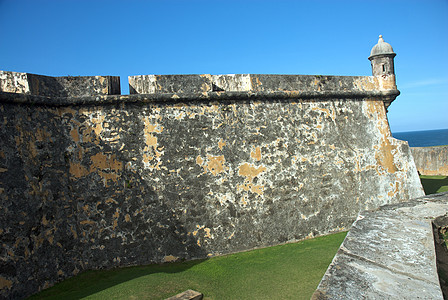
(388, 253)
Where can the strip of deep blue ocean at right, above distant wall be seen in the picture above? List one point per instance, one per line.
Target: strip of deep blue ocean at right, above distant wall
(425, 138)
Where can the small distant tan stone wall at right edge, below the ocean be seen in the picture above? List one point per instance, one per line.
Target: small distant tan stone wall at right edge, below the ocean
(431, 160)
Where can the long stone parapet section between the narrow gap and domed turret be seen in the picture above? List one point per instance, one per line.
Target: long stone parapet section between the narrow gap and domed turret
(289, 85)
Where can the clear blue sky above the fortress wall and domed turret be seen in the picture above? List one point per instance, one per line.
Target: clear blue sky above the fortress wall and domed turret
(123, 38)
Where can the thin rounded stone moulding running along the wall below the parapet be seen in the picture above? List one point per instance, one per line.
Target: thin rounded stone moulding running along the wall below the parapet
(386, 95)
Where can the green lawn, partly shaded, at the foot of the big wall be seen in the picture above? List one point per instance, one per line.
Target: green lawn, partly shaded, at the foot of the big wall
(290, 271)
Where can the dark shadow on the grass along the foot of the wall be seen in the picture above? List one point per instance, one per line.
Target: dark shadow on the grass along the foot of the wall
(91, 282)
